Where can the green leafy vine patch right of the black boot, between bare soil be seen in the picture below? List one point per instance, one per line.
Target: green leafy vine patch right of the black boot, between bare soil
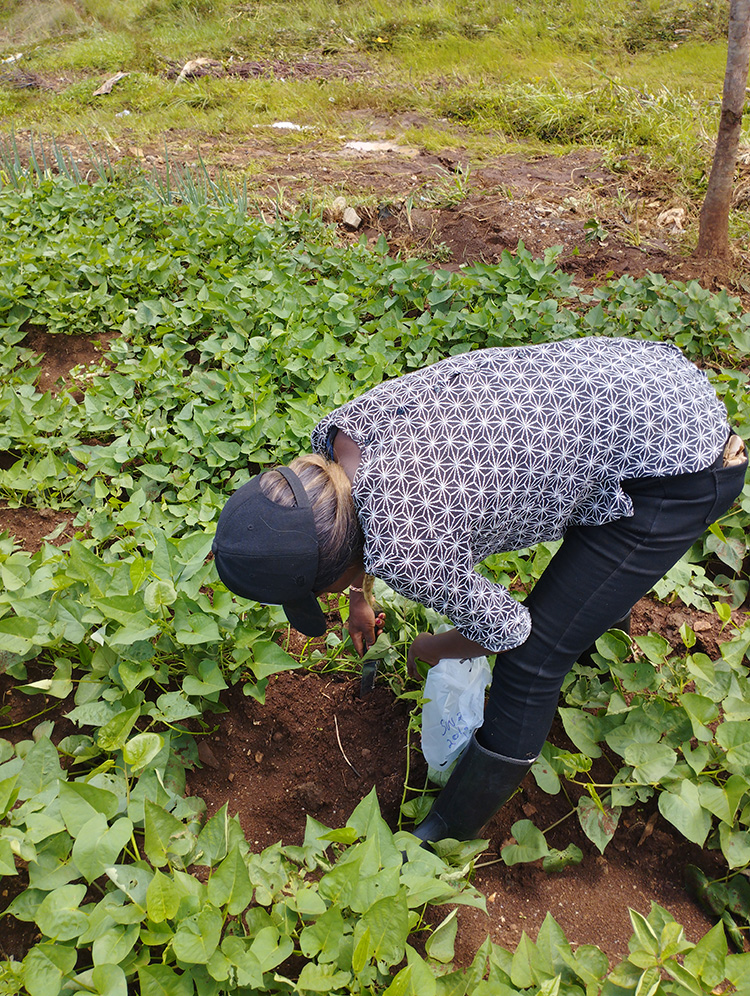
(662, 725)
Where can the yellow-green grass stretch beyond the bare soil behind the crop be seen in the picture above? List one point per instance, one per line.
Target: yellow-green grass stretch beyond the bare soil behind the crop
(486, 75)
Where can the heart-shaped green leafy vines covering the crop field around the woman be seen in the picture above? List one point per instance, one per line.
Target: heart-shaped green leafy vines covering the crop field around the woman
(227, 337)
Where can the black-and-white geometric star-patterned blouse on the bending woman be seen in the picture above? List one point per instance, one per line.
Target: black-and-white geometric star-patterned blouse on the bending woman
(498, 449)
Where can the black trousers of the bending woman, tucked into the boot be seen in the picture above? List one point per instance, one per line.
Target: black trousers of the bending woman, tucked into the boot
(593, 580)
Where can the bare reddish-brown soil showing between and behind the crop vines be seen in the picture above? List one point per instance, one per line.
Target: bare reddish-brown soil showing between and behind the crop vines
(317, 747)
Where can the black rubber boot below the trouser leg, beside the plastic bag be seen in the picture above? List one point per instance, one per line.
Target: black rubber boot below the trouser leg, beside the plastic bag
(478, 786)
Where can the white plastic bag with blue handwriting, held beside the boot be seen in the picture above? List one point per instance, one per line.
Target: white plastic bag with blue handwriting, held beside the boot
(453, 709)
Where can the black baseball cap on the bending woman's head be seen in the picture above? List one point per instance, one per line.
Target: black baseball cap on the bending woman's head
(269, 552)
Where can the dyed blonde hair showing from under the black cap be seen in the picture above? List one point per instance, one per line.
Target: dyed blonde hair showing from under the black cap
(340, 539)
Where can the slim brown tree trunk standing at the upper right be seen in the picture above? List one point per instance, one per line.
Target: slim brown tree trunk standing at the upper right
(713, 236)
